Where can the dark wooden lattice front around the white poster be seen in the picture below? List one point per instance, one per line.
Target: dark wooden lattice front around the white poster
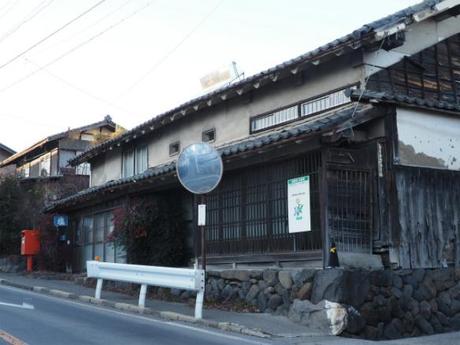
(247, 213)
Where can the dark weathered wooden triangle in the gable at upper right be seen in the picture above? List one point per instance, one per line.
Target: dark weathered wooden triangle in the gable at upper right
(434, 73)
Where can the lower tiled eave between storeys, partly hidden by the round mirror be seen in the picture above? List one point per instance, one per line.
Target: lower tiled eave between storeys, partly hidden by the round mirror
(316, 125)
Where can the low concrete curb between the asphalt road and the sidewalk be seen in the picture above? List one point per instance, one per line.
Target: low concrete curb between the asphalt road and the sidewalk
(166, 315)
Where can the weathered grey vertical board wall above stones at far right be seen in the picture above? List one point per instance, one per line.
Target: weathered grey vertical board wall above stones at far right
(429, 217)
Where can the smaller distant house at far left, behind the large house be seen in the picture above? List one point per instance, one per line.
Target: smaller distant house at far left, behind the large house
(46, 161)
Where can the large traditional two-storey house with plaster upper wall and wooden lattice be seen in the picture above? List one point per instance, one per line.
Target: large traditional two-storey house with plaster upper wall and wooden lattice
(371, 120)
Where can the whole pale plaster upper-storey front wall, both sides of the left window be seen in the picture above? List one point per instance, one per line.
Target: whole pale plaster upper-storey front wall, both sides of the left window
(230, 120)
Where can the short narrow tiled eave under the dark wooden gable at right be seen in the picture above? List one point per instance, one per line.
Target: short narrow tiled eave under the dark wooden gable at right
(385, 97)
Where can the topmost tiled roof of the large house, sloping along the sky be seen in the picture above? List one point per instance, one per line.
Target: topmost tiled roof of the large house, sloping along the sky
(365, 35)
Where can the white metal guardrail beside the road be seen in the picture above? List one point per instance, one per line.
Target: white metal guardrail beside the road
(176, 278)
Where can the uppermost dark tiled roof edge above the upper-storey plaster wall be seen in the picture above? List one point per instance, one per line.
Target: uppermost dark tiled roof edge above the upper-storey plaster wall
(354, 40)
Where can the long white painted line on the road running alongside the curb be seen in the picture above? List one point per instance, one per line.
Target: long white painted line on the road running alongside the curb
(169, 323)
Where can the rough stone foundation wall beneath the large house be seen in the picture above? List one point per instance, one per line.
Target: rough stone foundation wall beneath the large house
(370, 304)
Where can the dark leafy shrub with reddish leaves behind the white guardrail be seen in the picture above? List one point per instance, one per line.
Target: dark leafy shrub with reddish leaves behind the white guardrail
(152, 230)
